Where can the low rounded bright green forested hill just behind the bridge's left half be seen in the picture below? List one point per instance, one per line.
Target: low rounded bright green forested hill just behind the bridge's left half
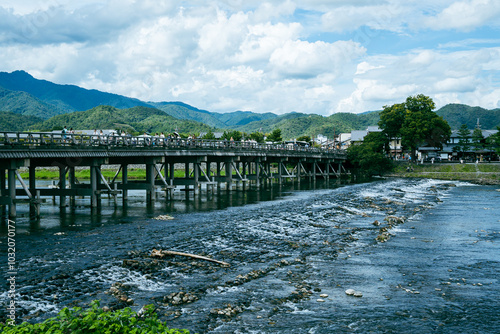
(136, 119)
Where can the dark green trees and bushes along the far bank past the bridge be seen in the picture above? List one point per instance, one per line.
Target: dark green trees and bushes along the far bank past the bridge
(416, 124)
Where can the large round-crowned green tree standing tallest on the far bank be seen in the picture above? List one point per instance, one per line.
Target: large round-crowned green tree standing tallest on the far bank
(415, 122)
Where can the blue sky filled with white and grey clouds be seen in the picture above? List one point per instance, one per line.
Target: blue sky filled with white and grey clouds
(308, 56)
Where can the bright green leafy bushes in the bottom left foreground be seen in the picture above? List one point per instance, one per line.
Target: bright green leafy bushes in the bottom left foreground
(97, 320)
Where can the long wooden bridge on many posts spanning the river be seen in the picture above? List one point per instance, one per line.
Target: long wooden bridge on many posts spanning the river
(207, 163)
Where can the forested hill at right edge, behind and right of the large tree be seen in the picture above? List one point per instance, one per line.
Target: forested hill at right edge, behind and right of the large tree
(458, 114)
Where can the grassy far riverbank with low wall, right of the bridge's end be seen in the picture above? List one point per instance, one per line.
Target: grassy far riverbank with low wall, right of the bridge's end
(480, 173)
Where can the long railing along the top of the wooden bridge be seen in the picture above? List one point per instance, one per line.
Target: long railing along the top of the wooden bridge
(53, 140)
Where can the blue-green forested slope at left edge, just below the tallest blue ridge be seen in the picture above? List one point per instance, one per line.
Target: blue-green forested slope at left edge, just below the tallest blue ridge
(25, 104)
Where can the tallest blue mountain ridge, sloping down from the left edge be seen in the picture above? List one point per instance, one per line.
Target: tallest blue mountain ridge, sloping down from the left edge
(66, 98)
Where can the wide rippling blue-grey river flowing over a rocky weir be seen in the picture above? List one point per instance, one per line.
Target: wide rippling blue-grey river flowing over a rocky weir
(293, 253)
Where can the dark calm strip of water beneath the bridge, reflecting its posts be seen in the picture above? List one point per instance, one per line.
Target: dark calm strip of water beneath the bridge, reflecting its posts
(115, 210)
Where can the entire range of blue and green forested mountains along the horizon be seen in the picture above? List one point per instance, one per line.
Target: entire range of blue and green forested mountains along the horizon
(30, 103)
